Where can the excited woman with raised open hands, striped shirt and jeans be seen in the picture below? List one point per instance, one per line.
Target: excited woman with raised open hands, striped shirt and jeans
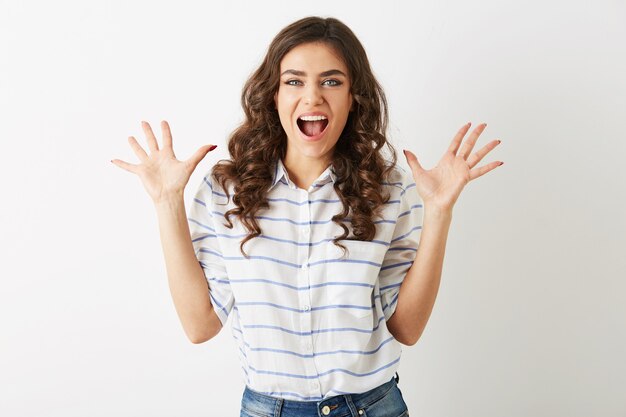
(330, 282)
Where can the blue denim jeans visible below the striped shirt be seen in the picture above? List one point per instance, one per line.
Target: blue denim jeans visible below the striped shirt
(383, 401)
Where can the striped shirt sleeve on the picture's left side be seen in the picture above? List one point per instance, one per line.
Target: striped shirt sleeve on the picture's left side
(205, 242)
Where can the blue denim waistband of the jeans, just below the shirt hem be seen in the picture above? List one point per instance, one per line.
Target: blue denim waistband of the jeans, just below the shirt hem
(276, 406)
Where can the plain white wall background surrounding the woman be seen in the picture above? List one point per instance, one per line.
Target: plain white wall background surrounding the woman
(530, 319)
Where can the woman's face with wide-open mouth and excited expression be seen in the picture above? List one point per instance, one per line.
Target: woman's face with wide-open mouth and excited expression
(314, 82)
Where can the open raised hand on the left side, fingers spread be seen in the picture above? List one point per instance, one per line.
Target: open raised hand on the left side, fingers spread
(161, 173)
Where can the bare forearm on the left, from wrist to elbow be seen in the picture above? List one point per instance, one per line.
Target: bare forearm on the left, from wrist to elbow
(187, 282)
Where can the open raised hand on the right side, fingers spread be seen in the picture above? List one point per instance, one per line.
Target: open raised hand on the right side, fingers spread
(441, 186)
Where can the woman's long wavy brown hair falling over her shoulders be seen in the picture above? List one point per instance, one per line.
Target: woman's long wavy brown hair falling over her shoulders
(260, 139)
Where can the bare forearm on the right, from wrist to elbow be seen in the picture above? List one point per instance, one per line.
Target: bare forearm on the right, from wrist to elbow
(421, 283)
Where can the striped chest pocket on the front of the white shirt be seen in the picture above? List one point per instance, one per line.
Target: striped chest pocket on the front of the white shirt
(351, 277)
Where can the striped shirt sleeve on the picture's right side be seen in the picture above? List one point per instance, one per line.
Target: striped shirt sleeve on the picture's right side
(403, 246)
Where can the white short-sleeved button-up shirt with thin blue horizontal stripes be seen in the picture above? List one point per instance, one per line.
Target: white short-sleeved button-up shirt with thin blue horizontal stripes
(309, 323)
